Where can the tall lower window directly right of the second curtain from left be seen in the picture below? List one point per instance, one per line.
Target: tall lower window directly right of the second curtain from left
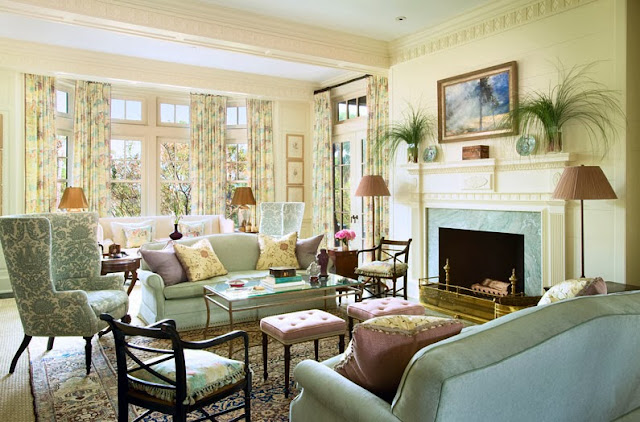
(126, 177)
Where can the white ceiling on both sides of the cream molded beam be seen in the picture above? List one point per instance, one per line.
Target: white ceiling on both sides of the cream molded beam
(370, 18)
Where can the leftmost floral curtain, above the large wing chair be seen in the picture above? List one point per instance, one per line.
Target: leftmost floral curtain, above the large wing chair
(40, 143)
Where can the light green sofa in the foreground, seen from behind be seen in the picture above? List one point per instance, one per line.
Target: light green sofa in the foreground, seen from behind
(575, 360)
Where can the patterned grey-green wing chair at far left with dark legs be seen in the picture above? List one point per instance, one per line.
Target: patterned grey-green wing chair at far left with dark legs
(53, 262)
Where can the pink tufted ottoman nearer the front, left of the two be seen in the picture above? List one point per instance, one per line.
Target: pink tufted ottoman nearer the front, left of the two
(298, 327)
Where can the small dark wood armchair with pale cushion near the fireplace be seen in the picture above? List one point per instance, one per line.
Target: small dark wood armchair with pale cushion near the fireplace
(391, 263)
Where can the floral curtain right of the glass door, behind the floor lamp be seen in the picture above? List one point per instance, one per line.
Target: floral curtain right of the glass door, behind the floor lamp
(375, 161)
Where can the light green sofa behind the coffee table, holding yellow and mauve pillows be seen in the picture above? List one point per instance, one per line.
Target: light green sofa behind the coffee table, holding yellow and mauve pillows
(184, 303)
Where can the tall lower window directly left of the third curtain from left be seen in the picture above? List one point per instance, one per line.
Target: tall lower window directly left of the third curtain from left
(175, 186)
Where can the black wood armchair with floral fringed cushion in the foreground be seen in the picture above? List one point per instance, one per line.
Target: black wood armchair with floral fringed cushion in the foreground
(171, 381)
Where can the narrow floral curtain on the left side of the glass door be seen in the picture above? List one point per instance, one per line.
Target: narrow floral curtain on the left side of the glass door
(322, 178)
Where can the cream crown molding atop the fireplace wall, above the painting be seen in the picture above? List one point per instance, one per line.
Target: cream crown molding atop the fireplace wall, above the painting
(483, 22)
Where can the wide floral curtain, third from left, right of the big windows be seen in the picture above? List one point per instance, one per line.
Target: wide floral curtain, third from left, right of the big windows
(207, 162)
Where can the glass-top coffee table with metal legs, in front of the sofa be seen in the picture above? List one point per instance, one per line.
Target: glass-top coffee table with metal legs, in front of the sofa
(235, 299)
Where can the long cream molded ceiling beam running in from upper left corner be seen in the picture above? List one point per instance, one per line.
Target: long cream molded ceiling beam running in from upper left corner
(195, 23)
